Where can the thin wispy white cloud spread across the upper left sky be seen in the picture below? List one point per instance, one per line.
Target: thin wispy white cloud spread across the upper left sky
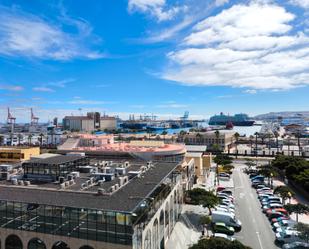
(22, 34)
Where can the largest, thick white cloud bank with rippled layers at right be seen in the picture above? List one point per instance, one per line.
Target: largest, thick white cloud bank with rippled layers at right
(253, 46)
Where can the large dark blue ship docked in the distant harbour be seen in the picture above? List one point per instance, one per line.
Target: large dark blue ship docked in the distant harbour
(237, 120)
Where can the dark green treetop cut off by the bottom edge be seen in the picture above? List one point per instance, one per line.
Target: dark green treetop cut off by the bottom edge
(218, 243)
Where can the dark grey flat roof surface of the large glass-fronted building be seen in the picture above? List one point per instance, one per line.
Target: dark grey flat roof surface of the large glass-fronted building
(125, 199)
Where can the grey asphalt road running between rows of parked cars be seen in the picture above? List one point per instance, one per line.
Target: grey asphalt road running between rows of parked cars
(256, 230)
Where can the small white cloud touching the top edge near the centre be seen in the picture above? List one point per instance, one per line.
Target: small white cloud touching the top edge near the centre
(156, 8)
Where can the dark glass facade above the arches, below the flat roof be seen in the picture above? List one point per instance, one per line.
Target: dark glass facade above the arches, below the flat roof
(88, 224)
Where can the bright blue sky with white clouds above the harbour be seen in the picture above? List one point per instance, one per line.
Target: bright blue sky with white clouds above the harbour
(153, 56)
